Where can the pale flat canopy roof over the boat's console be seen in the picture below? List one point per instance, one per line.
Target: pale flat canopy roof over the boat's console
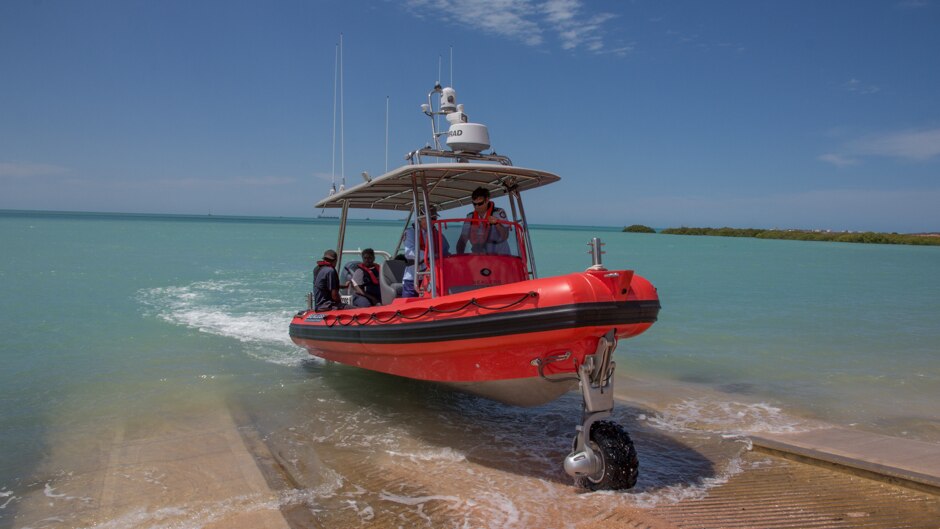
(449, 185)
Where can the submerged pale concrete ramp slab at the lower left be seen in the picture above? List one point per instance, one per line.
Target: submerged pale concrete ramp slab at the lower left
(184, 471)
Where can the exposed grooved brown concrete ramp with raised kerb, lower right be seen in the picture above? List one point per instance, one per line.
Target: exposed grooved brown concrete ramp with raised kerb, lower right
(822, 479)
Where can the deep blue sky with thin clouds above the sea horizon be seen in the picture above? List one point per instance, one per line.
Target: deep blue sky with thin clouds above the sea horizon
(799, 114)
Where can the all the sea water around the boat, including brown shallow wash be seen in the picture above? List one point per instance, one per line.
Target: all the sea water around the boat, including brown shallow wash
(117, 322)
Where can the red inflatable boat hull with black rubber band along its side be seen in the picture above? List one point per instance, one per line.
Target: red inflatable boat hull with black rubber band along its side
(518, 343)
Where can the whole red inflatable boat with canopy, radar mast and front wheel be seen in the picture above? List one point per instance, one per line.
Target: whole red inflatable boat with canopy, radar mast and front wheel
(484, 322)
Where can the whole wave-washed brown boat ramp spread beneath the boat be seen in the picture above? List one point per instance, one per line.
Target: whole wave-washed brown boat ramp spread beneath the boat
(418, 456)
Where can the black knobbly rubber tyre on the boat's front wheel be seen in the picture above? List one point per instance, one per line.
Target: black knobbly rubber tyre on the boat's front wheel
(615, 448)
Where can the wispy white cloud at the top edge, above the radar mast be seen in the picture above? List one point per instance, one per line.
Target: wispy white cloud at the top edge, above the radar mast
(526, 21)
